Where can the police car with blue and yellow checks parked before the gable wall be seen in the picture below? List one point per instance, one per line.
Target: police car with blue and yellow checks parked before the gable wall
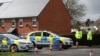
(44, 38)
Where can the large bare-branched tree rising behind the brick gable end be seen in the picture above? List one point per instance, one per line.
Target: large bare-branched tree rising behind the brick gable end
(75, 9)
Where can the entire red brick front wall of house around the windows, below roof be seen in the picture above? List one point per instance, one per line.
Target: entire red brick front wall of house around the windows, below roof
(27, 26)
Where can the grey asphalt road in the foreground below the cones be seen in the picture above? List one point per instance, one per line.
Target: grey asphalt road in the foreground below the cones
(81, 51)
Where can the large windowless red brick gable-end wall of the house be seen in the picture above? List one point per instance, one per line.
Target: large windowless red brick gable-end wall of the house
(55, 18)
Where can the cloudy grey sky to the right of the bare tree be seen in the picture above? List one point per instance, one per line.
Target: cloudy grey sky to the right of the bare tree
(92, 9)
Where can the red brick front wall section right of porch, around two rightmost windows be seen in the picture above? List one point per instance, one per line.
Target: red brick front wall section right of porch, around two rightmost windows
(27, 26)
